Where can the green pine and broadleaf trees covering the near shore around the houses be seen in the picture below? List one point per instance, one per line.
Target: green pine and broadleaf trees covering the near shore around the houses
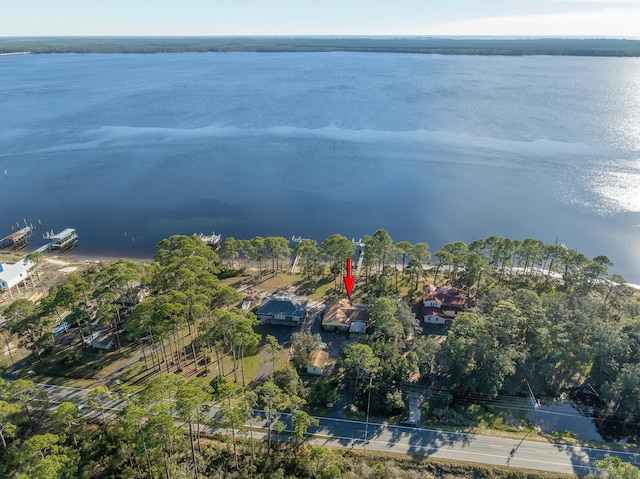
(539, 316)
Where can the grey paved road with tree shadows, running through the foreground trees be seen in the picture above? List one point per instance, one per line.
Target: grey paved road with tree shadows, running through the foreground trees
(426, 442)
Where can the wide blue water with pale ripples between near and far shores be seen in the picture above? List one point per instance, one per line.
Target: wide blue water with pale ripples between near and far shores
(432, 148)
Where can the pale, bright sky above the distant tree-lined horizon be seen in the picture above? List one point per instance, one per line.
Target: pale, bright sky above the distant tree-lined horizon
(575, 18)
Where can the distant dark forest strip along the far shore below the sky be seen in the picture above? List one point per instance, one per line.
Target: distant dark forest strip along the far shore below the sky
(431, 45)
